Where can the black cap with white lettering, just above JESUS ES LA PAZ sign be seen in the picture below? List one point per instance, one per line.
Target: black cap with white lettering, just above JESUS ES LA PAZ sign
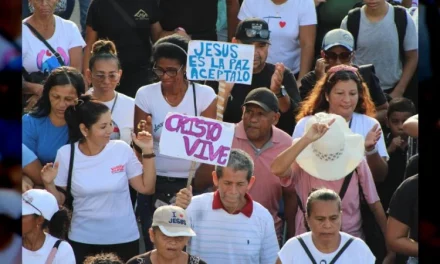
(251, 23)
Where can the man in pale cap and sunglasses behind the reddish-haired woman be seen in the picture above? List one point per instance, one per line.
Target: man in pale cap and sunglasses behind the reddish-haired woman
(338, 48)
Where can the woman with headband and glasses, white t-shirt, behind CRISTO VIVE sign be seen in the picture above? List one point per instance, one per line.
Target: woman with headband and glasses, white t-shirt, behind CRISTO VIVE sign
(173, 93)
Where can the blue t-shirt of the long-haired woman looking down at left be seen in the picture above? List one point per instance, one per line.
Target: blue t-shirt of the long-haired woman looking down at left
(43, 138)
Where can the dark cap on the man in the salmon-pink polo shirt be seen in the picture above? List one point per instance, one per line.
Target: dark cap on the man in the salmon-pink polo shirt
(264, 98)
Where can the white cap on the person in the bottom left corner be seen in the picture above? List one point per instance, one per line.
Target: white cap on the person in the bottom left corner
(39, 202)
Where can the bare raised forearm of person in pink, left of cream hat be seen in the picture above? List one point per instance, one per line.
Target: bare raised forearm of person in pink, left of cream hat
(281, 165)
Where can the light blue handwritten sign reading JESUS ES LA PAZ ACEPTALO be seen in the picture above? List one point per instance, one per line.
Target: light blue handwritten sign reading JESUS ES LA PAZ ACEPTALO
(220, 61)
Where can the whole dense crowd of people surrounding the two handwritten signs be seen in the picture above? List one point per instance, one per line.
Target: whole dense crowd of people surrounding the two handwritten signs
(323, 166)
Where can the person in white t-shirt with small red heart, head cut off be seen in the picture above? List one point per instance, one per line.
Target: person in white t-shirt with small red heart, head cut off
(292, 25)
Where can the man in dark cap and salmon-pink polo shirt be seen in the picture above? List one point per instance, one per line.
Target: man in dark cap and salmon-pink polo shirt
(257, 135)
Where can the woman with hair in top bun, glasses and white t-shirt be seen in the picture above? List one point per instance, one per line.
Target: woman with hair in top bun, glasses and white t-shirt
(104, 74)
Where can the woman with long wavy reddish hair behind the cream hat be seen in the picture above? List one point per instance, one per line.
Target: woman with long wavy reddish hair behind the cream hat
(342, 91)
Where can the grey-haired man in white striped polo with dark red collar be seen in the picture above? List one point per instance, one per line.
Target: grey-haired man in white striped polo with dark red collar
(230, 226)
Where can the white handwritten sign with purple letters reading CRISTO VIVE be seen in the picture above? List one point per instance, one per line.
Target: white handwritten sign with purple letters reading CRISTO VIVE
(197, 139)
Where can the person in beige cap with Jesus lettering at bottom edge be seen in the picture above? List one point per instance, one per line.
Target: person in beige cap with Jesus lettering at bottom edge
(170, 232)
